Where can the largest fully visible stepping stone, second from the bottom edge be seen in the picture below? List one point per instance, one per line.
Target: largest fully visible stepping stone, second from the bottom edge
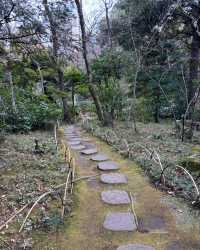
(120, 222)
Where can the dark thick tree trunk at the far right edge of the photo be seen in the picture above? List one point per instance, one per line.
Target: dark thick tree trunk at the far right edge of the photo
(193, 71)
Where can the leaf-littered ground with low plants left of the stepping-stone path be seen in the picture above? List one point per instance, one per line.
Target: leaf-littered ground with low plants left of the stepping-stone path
(24, 176)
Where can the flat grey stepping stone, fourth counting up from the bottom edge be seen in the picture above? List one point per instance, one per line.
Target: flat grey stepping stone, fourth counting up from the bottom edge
(114, 178)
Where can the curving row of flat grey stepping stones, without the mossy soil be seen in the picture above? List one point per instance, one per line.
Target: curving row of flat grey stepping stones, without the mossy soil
(114, 221)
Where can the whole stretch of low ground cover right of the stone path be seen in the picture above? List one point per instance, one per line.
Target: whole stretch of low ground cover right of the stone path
(159, 138)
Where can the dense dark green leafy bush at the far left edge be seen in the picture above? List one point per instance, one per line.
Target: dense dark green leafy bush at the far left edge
(33, 112)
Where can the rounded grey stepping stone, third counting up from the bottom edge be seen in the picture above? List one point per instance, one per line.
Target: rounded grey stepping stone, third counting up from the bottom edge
(115, 197)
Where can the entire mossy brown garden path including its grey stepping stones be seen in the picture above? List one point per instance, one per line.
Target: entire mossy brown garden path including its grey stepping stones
(102, 217)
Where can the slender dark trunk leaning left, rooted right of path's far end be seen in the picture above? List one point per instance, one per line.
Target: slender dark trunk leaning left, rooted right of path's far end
(92, 88)
